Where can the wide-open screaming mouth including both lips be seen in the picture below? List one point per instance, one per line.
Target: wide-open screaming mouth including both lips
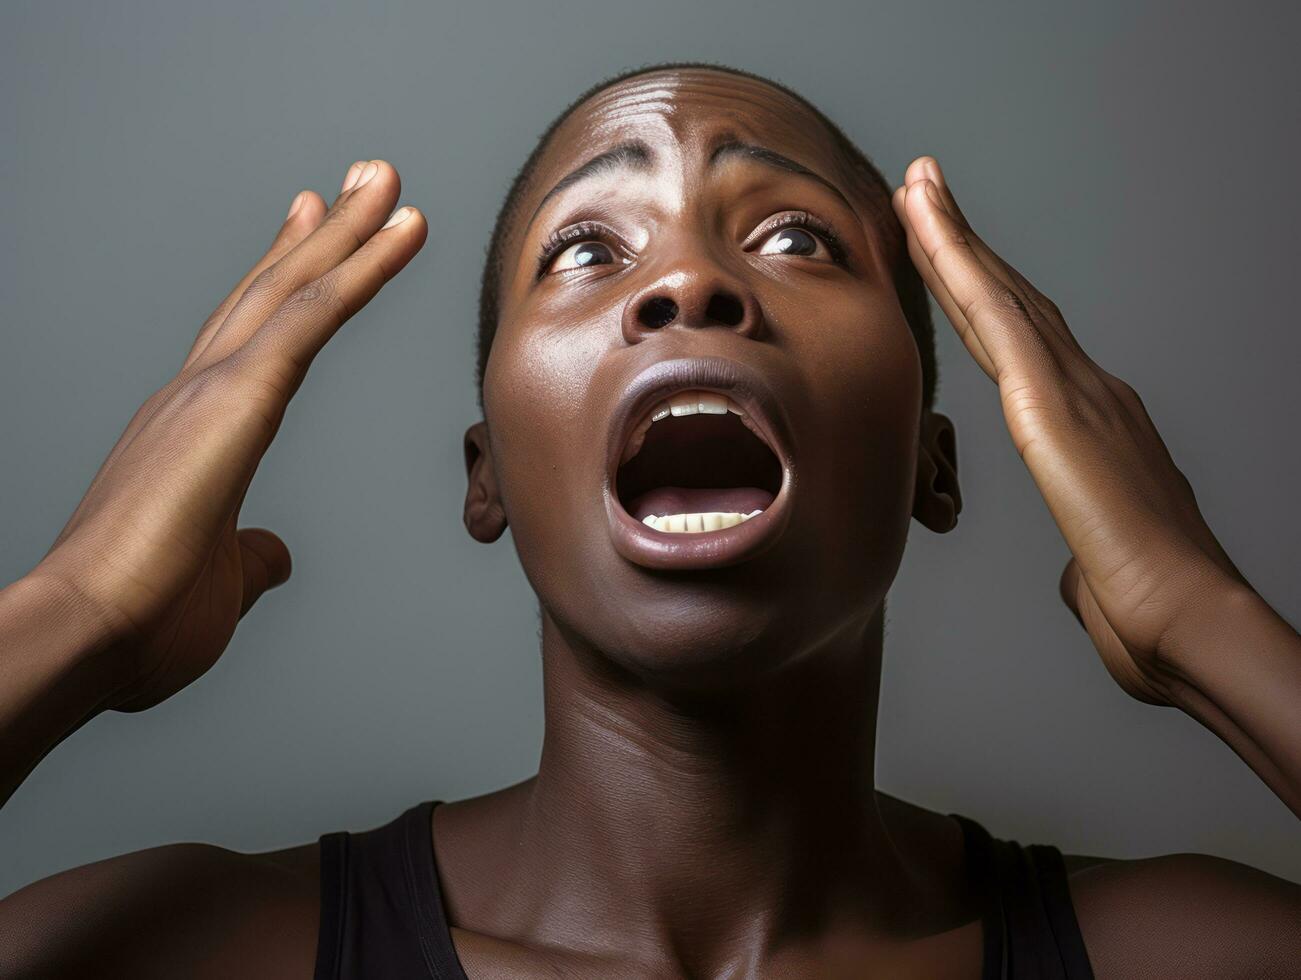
(701, 473)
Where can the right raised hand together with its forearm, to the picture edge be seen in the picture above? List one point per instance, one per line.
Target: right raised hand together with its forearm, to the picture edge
(1173, 619)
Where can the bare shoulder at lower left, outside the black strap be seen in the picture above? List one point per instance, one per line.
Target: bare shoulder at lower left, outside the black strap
(181, 910)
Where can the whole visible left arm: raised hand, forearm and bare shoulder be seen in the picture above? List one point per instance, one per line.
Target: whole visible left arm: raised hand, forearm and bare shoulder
(142, 592)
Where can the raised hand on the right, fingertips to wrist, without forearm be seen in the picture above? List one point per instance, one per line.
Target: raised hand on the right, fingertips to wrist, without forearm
(1144, 558)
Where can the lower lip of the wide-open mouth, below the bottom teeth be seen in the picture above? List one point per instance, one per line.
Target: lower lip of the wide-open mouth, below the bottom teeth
(702, 550)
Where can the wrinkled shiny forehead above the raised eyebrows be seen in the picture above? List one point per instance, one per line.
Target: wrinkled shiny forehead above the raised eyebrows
(677, 113)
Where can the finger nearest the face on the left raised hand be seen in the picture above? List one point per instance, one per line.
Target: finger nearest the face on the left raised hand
(283, 348)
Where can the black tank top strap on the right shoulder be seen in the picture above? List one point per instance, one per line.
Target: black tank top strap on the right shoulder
(1030, 923)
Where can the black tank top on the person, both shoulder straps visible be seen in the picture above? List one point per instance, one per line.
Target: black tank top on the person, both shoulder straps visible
(383, 916)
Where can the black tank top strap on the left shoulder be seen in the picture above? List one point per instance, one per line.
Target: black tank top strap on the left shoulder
(382, 909)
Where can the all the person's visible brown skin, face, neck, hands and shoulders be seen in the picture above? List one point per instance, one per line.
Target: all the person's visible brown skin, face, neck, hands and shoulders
(684, 705)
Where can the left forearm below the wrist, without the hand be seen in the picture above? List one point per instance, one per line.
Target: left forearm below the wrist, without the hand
(57, 674)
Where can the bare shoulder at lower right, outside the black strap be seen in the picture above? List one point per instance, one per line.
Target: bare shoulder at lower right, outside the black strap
(1186, 916)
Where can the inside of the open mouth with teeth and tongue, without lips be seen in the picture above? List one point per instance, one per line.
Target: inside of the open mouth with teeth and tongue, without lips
(695, 464)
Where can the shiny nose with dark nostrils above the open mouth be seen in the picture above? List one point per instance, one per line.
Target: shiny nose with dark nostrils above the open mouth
(693, 301)
